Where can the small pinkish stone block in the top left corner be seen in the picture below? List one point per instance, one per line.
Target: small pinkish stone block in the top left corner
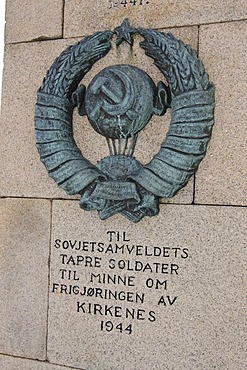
(29, 20)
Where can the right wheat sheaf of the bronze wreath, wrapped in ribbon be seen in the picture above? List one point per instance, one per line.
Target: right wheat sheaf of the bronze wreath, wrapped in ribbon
(192, 115)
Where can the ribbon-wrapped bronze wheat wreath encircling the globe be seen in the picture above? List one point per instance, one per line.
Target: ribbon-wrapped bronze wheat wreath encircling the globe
(192, 107)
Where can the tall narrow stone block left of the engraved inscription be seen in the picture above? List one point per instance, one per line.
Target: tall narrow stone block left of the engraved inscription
(24, 243)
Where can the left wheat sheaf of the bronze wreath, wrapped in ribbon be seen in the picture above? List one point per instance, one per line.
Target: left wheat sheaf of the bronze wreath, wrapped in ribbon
(53, 114)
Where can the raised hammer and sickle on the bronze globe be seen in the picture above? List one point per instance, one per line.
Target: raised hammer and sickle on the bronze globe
(112, 103)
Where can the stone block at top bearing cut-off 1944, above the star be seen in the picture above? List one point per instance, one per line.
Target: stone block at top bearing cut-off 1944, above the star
(107, 14)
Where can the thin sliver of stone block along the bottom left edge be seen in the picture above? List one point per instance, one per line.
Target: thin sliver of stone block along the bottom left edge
(14, 363)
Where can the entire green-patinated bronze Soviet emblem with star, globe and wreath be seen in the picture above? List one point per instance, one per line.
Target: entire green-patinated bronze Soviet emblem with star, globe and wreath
(119, 102)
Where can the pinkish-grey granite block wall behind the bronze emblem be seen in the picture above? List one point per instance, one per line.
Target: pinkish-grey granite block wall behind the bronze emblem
(189, 313)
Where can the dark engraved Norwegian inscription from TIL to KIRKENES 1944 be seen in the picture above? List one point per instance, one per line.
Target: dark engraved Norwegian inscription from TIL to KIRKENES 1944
(117, 281)
